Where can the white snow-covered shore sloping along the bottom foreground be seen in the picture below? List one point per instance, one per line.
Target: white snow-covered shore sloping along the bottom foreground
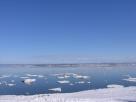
(114, 93)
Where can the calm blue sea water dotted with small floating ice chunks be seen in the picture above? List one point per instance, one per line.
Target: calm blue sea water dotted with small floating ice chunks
(12, 77)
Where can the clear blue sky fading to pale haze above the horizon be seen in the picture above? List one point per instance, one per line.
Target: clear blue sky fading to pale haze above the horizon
(67, 31)
